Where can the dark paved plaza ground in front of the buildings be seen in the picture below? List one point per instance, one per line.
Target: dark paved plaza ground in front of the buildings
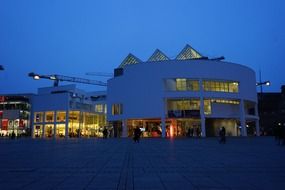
(241, 163)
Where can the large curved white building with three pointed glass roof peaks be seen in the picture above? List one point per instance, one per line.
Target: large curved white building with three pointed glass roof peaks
(188, 95)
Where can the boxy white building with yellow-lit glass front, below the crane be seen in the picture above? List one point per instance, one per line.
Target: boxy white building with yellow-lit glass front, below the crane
(66, 111)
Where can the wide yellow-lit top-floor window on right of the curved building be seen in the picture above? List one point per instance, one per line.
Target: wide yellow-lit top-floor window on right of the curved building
(221, 86)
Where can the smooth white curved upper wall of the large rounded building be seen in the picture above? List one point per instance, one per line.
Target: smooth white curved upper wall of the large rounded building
(141, 88)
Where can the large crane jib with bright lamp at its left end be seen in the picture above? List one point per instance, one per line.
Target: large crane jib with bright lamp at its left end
(56, 78)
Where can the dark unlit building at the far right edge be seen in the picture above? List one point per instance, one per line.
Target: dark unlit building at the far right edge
(271, 110)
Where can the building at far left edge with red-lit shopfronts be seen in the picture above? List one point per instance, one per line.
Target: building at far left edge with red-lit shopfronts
(15, 114)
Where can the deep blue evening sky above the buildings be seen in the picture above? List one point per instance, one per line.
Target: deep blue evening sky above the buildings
(72, 37)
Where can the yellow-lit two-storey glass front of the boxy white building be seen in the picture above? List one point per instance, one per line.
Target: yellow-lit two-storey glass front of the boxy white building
(80, 124)
